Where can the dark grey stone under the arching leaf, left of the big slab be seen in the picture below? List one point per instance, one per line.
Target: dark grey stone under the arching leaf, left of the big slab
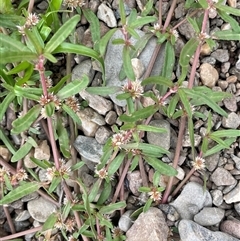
(84, 68)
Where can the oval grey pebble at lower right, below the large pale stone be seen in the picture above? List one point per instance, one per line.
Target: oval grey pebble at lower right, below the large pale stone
(209, 216)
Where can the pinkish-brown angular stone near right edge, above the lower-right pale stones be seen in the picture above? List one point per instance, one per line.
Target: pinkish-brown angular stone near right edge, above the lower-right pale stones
(222, 177)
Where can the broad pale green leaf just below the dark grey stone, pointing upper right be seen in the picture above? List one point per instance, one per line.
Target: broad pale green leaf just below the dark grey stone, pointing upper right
(73, 88)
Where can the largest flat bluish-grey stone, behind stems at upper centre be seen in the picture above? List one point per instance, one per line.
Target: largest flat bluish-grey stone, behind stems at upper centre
(114, 52)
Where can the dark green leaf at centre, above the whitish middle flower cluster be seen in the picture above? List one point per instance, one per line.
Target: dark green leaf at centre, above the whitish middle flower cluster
(139, 114)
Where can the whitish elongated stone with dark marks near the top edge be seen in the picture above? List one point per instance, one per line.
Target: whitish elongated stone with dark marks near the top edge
(106, 15)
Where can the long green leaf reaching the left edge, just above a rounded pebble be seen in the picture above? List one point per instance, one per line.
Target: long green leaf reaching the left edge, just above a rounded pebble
(19, 192)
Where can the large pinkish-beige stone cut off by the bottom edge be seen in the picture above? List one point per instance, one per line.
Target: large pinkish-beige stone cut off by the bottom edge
(149, 226)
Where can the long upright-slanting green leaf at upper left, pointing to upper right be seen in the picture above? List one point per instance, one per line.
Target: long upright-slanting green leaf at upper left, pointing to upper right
(62, 33)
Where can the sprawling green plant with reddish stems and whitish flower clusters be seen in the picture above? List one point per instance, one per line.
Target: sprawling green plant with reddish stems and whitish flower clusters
(28, 44)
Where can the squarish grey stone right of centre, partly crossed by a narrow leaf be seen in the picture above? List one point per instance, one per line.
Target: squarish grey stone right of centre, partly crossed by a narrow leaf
(160, 139)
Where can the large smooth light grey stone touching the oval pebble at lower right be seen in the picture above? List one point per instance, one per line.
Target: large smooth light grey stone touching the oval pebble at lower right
(189, 205)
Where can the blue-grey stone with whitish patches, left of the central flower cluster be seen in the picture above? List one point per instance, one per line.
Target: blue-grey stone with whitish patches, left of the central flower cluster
(89, 148)
